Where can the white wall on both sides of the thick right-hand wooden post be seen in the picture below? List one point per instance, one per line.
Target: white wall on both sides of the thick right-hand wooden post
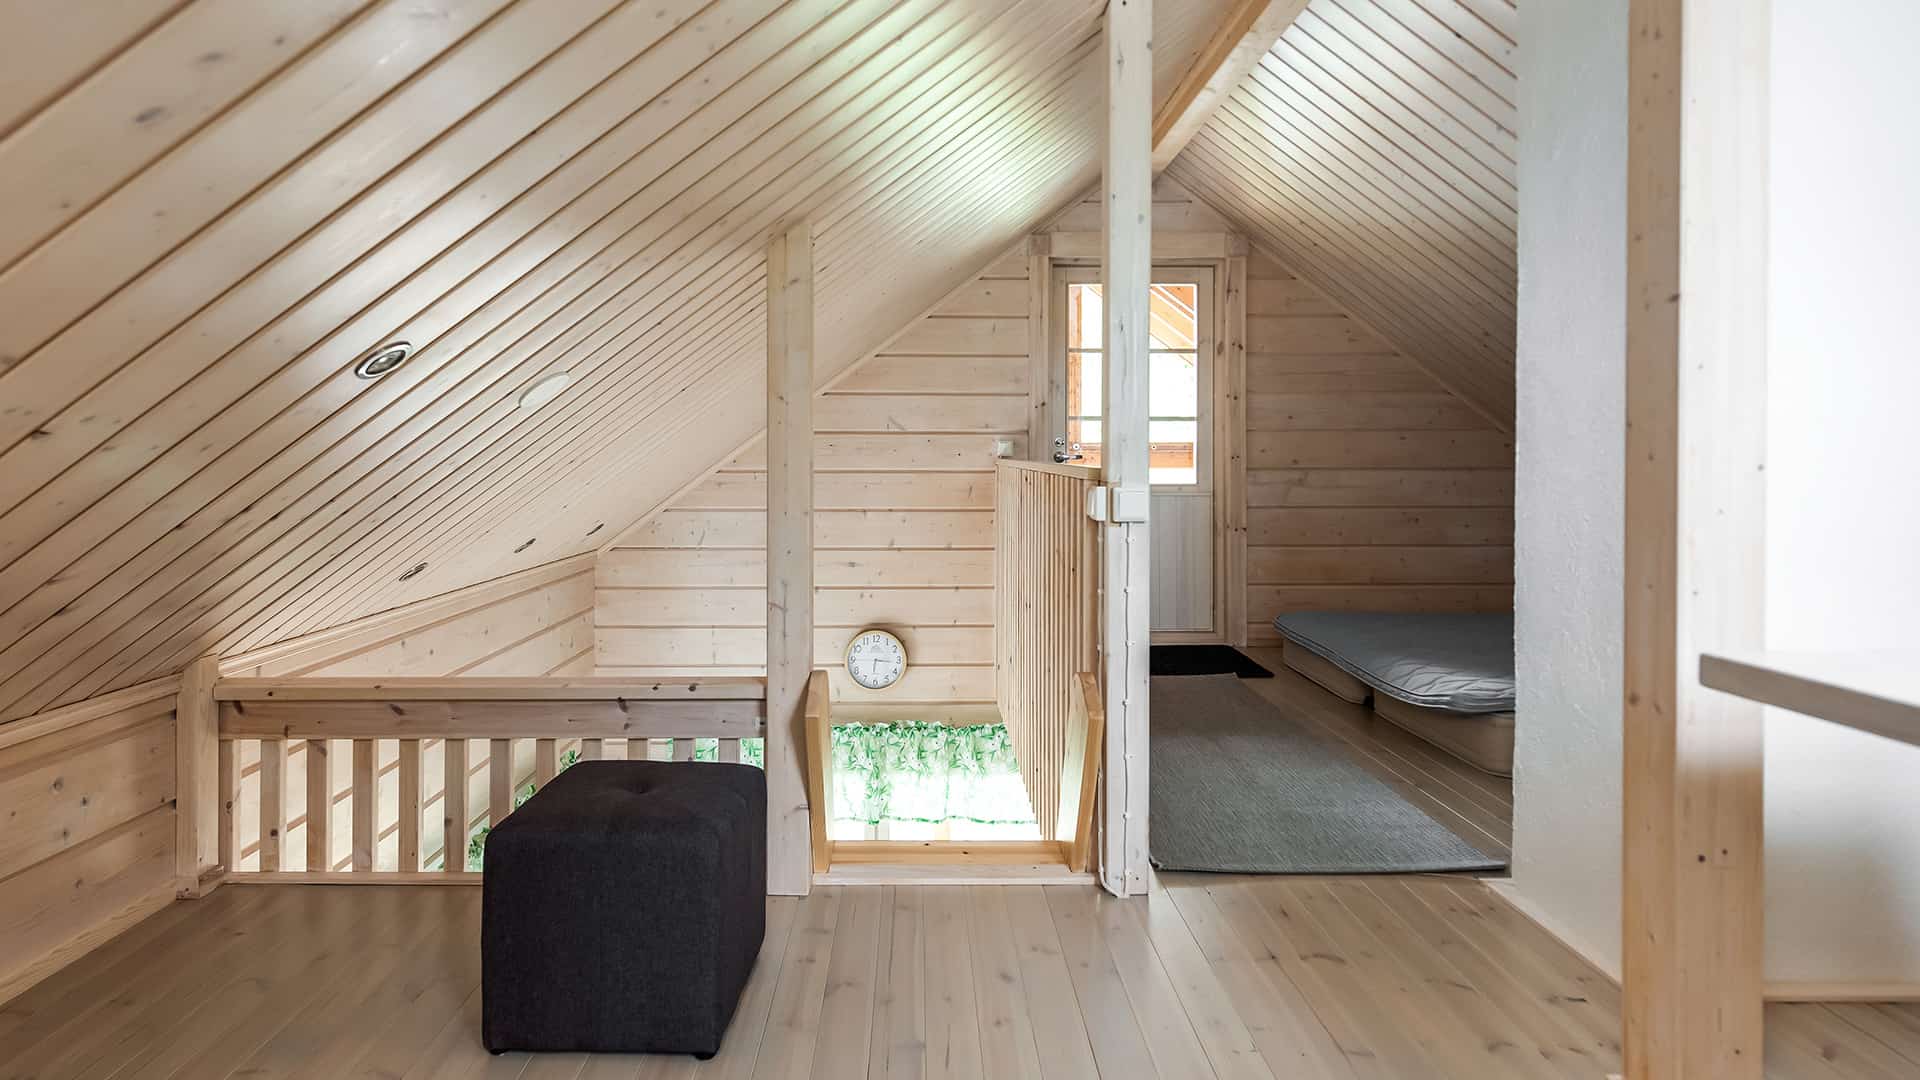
(1844, 476)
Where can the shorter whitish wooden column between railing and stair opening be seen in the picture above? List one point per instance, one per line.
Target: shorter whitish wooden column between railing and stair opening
(790, 554)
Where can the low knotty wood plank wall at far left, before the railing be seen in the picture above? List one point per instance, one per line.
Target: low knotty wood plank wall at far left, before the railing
(87, 850)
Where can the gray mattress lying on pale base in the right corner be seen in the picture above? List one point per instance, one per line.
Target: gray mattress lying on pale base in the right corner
(1462, 664)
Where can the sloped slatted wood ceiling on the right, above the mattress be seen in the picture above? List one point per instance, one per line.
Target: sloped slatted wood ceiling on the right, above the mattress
(1374, 153)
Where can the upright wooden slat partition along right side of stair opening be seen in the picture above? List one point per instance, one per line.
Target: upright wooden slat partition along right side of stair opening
(1045, 626)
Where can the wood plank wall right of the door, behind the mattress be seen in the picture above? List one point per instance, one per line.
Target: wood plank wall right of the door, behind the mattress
(1370, 487)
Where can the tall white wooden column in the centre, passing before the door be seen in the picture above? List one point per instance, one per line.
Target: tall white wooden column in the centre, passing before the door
(1128, 257)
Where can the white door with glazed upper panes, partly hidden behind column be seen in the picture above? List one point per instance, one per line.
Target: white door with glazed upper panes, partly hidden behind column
(1180, 428)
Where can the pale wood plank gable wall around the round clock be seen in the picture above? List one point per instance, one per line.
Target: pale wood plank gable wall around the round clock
(903, 520)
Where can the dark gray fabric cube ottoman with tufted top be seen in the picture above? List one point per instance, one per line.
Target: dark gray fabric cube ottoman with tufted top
(625, 906)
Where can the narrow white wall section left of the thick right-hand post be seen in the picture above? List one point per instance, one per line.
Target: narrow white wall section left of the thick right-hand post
(1570, 470)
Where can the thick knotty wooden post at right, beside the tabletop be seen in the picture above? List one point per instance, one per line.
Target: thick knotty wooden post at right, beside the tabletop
(1696, 403)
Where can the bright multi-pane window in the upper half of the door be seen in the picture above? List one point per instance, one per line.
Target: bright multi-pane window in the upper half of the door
(1178, 385)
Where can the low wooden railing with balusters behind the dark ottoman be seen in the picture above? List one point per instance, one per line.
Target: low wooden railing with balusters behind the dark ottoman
(418, 749)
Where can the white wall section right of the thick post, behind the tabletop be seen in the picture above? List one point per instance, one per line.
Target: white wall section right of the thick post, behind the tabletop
(1844, 479)
